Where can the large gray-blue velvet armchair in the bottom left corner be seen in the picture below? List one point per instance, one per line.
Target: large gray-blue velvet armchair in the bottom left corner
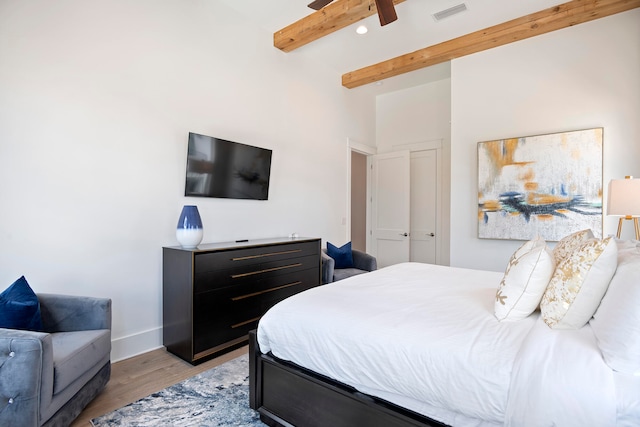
(47, 378)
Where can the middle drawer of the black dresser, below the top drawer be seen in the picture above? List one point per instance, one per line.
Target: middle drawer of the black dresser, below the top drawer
(211, 280)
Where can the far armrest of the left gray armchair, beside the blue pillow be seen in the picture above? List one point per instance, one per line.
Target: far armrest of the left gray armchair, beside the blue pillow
(66, 313)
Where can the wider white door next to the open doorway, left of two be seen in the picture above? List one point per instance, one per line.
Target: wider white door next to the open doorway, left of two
(390, 213)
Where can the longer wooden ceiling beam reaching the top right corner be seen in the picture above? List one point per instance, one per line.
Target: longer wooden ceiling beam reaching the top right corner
(565, 15)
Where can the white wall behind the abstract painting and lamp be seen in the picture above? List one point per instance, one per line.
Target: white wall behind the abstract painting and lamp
(576, 78)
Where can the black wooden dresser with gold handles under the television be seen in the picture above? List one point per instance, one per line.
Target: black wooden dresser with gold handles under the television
(215, 294)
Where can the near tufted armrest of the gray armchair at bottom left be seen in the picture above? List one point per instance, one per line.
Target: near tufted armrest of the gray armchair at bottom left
(26, 376)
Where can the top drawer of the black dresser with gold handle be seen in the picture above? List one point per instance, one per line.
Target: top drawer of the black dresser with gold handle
(238, 258)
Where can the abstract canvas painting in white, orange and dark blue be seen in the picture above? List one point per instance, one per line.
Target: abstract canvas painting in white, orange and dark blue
(544, 185)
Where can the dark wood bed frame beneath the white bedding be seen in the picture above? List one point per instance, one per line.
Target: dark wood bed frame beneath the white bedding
(287, 395)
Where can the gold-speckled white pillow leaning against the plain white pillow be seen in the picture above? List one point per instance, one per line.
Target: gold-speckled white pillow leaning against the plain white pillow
(578, 284)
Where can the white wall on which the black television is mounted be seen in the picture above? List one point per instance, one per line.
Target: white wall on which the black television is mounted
(96, 101)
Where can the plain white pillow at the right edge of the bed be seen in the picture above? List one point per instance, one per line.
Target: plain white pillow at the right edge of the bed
(616, 323)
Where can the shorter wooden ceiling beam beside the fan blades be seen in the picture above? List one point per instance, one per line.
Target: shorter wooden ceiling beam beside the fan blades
(333, 17)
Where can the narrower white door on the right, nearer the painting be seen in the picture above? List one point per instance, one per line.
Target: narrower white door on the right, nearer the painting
(424, 203)
